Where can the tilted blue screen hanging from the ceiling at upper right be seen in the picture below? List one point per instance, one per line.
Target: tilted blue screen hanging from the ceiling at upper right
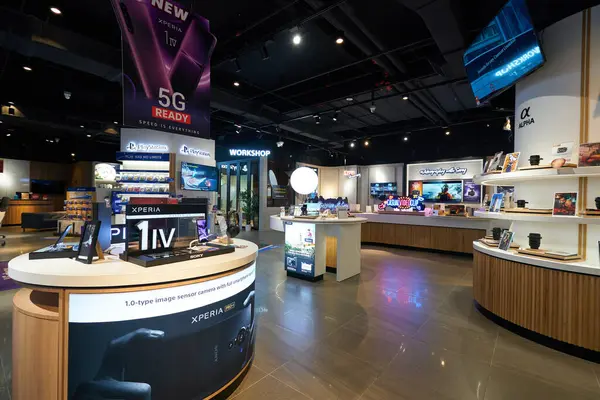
(504, 52)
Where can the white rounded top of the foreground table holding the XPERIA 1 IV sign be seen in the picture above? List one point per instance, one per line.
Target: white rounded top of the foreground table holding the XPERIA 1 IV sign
(113, 272)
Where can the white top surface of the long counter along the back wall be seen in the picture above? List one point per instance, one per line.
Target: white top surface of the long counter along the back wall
(406, 218)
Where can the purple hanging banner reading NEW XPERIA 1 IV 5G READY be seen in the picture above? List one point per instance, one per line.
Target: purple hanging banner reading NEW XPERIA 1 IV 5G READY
(166, 66)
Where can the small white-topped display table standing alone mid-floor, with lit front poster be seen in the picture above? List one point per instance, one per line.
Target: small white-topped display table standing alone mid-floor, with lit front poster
(336, 245)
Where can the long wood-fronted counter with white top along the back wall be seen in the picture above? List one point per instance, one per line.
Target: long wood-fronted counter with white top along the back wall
(447, 233)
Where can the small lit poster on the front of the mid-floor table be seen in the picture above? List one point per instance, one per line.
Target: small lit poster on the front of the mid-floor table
(300, 248)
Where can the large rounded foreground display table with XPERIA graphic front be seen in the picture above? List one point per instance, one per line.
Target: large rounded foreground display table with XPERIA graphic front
(113, 329)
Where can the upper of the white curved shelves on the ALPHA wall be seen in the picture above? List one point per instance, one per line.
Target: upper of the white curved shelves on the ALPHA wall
(536, 174)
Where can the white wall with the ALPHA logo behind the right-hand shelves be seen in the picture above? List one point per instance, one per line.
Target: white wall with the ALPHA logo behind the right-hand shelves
(552, 98)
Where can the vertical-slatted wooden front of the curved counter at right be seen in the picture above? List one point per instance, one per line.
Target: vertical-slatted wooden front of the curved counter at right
(561, 305)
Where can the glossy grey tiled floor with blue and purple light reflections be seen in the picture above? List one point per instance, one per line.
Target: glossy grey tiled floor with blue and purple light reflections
(404, 329)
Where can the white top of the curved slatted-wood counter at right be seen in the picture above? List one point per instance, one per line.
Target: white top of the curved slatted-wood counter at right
(578, 267)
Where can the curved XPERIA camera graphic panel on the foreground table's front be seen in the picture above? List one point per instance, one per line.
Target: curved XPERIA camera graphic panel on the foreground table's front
(183, 342)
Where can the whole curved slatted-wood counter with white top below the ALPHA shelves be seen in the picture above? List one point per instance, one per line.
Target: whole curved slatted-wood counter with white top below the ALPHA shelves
(552, 302)
